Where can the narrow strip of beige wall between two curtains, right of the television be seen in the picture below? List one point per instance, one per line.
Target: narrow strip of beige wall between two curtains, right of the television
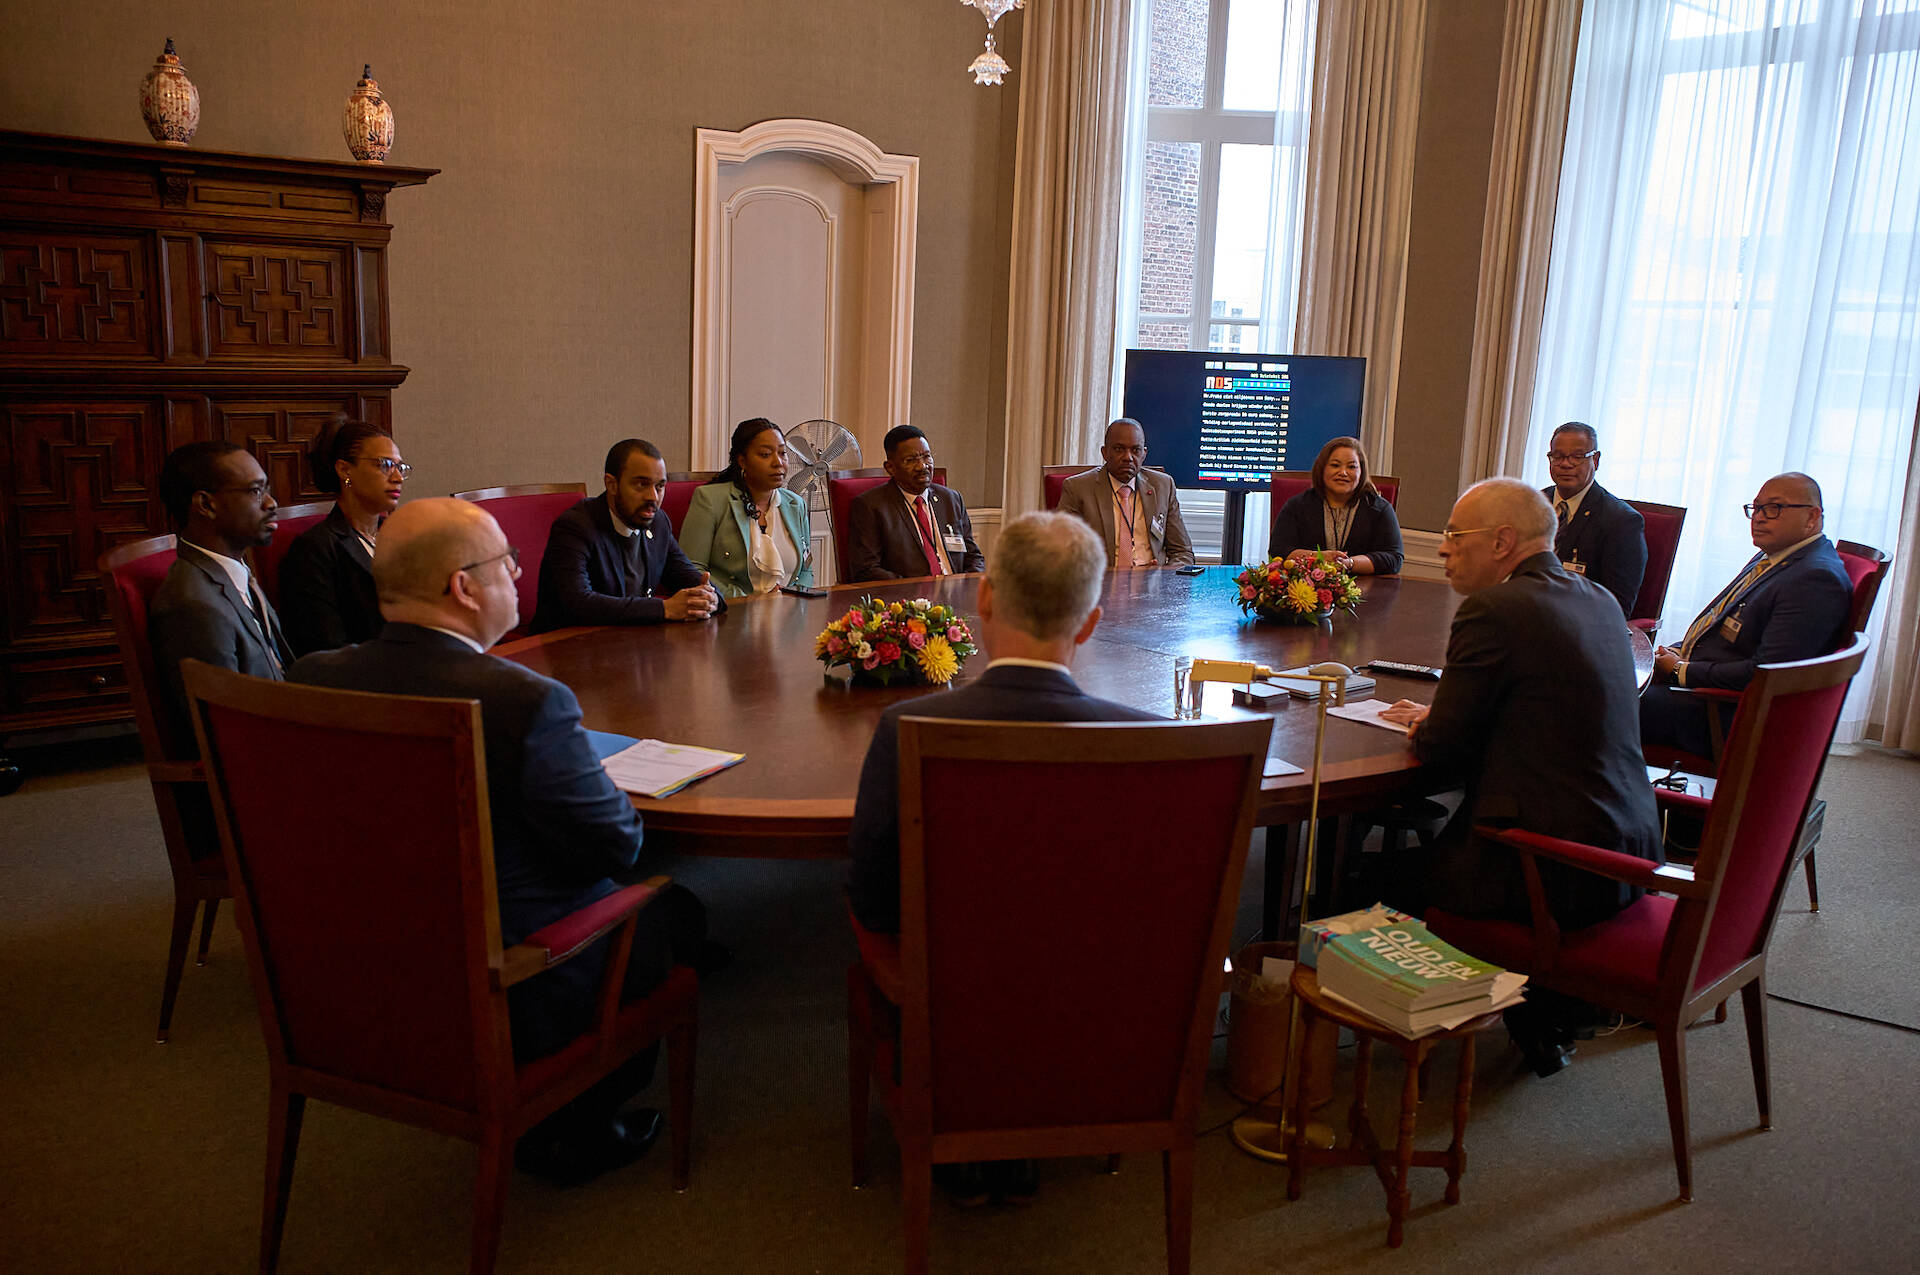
(1460, 85)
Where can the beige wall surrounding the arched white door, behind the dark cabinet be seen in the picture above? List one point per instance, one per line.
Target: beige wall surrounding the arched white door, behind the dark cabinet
(542, 283)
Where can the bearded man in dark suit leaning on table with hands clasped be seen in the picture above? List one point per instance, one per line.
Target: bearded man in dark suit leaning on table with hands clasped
(612, 560)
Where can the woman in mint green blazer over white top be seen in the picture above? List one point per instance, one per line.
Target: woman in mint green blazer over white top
(746, 529)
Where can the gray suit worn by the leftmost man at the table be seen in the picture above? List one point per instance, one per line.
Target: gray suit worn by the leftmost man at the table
(199, 613)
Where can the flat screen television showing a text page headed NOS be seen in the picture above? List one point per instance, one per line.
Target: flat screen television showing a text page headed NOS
(1226, 421)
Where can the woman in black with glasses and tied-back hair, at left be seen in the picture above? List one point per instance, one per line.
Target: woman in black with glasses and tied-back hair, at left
(327, 596)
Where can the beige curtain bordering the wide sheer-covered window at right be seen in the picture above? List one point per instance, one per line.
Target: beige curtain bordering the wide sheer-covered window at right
(1518, 239)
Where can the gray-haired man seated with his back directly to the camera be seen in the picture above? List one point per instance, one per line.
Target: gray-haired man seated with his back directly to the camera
(1040, 602)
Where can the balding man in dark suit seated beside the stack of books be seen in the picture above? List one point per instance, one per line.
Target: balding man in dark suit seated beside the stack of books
(1539, 715)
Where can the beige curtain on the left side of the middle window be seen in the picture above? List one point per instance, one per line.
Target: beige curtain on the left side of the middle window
(1068, 178)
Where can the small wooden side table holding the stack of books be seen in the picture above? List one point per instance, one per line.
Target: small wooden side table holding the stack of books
(1362, 1145)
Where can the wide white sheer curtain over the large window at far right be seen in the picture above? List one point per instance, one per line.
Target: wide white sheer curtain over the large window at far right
(1735, 287)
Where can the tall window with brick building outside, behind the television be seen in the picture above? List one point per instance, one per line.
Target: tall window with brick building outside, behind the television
(1218, 132)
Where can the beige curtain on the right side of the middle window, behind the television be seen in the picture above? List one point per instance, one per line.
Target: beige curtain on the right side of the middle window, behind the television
(1360, 193)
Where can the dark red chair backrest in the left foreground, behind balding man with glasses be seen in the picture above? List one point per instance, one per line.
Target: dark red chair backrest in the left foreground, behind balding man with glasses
(368, 942)
